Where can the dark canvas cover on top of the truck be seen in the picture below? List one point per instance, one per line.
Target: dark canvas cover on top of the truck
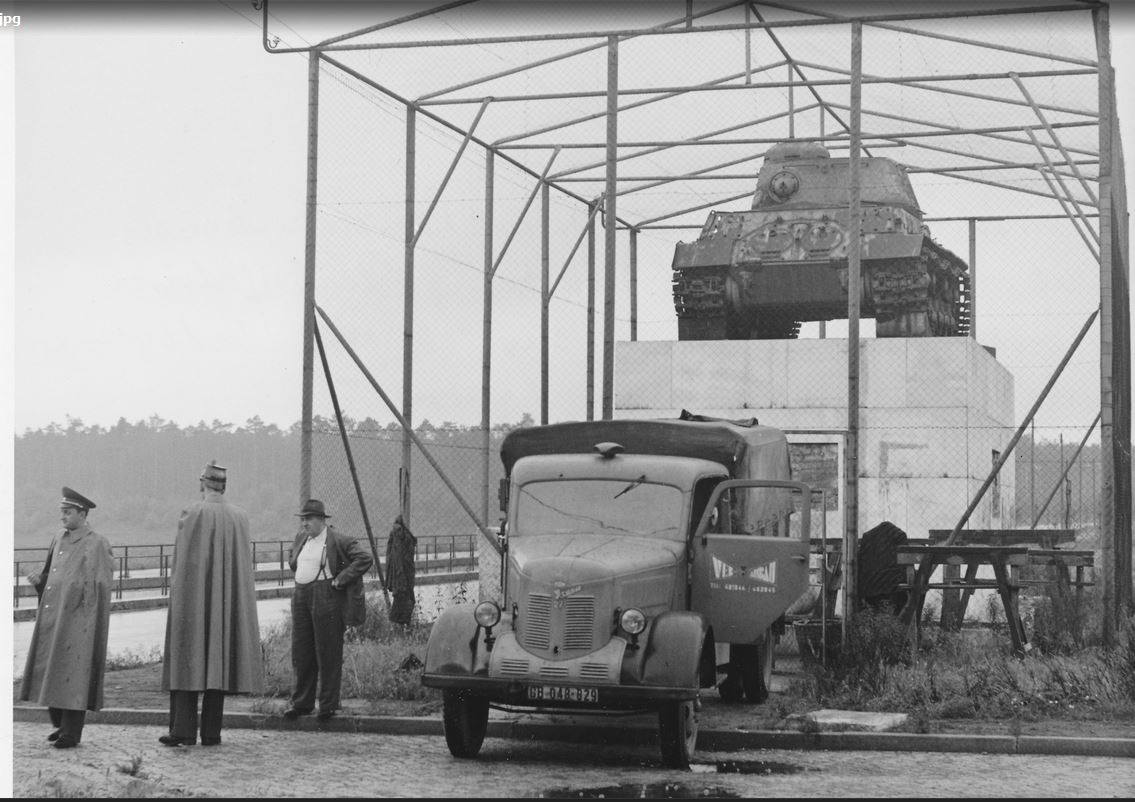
(746, 449)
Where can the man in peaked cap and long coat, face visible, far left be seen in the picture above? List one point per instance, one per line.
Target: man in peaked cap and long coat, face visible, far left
(69, 653)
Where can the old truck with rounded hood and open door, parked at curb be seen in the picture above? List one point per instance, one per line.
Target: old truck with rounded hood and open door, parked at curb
(643, 563)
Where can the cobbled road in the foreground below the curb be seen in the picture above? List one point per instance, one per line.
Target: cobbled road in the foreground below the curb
(257, 763)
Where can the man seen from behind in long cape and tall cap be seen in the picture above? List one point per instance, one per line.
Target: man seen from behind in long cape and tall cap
(213, 635)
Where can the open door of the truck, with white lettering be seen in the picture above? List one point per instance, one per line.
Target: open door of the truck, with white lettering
(747, 569)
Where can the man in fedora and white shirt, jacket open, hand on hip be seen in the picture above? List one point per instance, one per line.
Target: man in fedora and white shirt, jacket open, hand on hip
(329, 597)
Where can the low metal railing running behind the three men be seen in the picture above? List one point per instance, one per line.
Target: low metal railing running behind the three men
(147, 568)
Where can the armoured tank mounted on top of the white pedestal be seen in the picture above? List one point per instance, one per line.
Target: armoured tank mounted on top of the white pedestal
(761, 274)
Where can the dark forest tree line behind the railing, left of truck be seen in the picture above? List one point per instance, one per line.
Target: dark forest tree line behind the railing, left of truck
(142, 475)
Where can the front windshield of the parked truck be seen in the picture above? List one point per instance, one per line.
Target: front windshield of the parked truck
(627, 508)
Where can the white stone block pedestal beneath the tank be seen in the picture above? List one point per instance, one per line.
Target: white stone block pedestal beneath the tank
(935, 416)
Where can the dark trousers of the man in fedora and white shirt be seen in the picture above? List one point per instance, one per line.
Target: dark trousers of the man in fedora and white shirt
(317, 645)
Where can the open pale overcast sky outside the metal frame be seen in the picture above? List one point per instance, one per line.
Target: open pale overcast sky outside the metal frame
(159, 163)
